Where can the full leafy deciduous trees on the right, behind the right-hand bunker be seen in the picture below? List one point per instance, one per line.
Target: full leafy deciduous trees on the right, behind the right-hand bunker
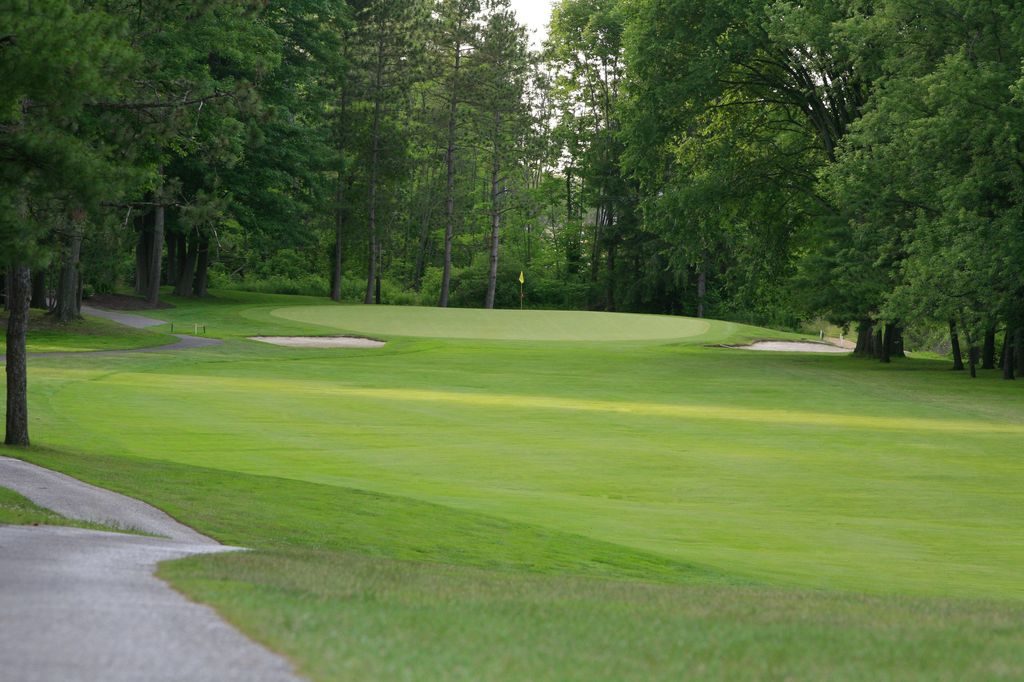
(869, 153)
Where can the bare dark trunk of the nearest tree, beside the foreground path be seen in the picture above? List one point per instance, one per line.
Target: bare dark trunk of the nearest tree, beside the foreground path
(20, 297)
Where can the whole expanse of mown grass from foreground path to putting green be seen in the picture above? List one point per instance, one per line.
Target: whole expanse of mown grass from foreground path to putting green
(541, 495)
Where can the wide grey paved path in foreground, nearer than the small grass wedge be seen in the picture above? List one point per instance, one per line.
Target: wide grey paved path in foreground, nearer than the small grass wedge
(82, 606)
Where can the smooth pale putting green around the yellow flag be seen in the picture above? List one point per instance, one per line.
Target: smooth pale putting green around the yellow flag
(504, 325)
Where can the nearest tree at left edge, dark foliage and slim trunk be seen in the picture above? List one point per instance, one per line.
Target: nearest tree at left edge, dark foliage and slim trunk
(56, 58)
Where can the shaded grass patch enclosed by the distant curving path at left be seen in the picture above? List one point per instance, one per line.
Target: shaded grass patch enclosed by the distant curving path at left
(47, 335)
